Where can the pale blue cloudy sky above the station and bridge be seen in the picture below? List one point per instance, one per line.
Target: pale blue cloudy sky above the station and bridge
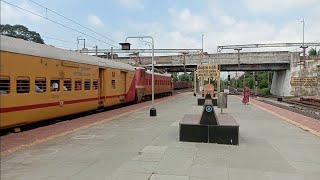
(172, 23)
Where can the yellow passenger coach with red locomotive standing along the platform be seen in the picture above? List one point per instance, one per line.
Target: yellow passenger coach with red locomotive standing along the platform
(40, 82)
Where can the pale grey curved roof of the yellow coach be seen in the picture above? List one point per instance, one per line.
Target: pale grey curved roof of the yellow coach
(20, 46)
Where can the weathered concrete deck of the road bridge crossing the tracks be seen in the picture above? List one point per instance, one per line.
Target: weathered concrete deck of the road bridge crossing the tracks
(248, 61)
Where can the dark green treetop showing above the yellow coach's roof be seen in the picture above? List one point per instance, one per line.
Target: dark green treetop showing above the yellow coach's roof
(21, 32)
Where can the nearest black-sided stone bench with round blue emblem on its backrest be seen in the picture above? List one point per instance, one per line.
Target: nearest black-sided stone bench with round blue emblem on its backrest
(209, 127)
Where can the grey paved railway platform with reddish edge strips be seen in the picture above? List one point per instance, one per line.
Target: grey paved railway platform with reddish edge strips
(127, 143)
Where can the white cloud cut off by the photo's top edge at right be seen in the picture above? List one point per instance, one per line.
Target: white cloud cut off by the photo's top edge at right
(278, 6)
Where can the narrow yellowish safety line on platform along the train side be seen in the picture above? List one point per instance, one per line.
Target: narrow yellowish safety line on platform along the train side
(9, 151)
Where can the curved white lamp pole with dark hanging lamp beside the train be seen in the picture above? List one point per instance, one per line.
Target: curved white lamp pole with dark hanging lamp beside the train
(126, 46)
